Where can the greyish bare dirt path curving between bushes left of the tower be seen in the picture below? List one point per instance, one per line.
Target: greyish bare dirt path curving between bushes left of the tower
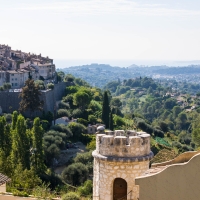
(67, 154)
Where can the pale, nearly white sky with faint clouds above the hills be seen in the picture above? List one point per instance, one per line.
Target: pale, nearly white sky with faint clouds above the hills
(119, 32)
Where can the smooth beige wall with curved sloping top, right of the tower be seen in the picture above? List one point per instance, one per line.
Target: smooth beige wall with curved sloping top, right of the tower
(176, 182)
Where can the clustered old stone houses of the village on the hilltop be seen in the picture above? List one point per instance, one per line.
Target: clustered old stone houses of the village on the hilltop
(17, 66)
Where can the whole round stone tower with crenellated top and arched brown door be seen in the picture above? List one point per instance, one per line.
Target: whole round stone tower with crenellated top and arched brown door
(119, 158)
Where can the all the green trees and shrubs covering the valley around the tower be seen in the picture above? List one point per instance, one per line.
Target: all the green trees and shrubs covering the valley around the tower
(30, 148)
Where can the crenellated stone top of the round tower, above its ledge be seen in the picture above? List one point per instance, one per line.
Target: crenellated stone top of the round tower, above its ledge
(123, 144)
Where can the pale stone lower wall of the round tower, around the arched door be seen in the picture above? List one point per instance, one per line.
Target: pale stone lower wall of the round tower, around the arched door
(106, 172)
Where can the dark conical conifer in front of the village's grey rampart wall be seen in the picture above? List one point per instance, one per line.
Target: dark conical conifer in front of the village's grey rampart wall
(30, 97)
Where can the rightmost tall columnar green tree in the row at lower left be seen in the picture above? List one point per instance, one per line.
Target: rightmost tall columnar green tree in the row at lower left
(37, 149)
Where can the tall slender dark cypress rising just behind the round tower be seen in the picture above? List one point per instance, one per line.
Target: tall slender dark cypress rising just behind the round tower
(105, 109)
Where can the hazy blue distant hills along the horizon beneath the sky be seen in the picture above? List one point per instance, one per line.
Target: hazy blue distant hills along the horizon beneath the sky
(99, 75)
